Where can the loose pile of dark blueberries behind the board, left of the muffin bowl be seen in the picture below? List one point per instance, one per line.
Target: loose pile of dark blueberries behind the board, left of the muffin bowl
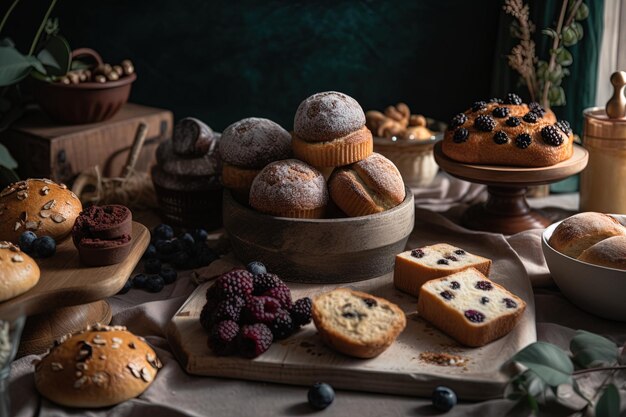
(166, 253)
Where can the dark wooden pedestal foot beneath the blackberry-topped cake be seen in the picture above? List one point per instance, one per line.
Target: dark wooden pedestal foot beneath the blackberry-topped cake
(506, 211)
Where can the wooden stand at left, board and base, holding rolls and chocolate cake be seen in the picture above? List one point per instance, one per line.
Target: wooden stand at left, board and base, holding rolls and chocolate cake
(69, 296)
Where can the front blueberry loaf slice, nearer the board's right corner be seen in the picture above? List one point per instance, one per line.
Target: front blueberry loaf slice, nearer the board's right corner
(469, 307)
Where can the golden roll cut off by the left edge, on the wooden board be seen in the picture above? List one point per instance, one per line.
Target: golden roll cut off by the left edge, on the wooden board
(18, 271)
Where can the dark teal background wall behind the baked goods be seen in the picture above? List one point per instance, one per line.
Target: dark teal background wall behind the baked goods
(226, 60)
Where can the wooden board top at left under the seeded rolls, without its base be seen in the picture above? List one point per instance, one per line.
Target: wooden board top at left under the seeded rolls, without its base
(66, 282)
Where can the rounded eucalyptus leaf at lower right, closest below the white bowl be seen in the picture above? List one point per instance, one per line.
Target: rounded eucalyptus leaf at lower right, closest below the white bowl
(591, 350)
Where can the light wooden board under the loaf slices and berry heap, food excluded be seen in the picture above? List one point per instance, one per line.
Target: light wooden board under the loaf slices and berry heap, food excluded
(302, 359)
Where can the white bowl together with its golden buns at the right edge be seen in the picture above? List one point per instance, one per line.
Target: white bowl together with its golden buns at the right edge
(586, 255)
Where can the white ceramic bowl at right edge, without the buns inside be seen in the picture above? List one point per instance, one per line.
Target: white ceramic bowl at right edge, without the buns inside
(596, 289)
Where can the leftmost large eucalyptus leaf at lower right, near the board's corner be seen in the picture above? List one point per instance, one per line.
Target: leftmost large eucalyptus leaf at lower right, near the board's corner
(548, 361)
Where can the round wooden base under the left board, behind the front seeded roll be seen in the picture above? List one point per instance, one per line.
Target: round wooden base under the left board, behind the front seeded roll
(41, 330)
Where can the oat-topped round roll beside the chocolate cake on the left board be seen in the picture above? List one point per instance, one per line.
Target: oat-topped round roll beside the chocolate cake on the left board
(39, 205)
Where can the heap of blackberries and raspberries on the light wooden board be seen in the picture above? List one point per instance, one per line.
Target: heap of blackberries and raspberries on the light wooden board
(248, 309)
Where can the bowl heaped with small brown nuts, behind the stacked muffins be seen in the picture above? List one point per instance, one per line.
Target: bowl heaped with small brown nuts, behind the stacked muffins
(408, 141)
